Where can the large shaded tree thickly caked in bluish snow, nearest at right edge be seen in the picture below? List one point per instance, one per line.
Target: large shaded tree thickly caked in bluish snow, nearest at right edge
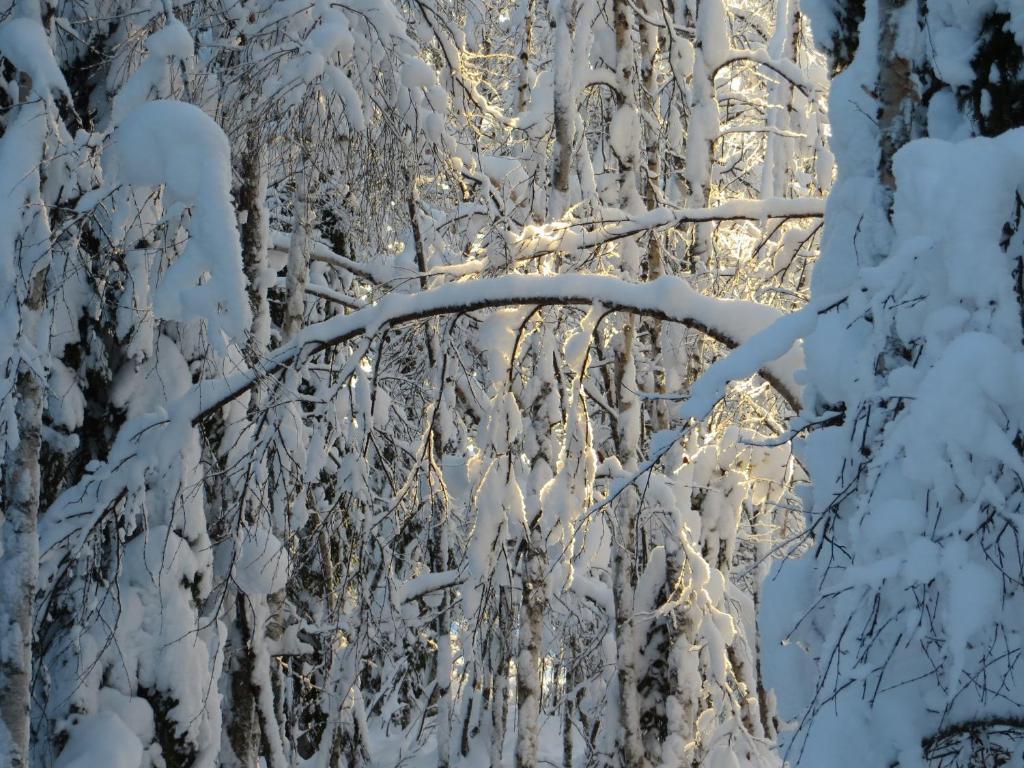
(902, 643)
